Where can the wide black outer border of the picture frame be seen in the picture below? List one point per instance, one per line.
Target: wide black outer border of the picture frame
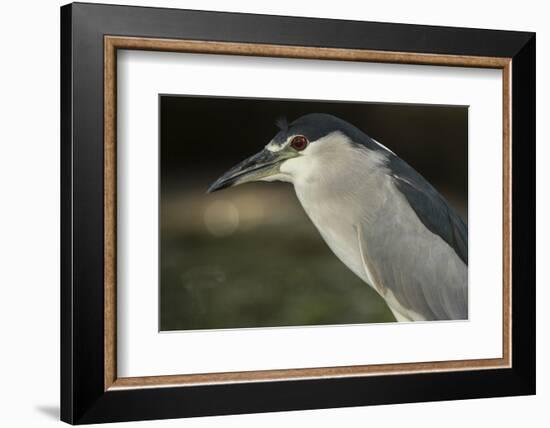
(83, 396)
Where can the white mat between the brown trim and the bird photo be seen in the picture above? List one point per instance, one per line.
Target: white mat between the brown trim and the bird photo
(142, 351)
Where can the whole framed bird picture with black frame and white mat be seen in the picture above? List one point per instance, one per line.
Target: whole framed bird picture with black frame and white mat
(265, 213)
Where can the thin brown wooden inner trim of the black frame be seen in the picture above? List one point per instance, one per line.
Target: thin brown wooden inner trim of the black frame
(112, 43)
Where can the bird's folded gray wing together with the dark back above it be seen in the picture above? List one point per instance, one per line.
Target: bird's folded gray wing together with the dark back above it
(420, 266)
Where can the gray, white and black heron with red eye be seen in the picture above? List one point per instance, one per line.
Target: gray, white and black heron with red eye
(377, 214)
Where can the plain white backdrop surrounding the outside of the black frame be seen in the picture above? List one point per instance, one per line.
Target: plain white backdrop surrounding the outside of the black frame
(29, 219)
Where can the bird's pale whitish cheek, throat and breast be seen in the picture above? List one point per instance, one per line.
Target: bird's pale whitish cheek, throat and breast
(340, 186)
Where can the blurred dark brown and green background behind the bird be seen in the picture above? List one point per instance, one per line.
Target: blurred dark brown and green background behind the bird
(248, 256)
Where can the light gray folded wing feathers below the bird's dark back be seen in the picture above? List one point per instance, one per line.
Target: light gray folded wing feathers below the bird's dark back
(421, 271)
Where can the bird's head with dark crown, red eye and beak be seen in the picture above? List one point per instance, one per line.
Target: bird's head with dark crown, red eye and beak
(298, 149)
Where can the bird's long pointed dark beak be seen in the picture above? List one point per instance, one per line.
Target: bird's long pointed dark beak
(255, 168)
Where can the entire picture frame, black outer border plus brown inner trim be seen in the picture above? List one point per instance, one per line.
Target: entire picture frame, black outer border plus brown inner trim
(113, 388)
